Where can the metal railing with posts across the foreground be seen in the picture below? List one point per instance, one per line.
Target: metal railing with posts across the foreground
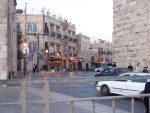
(46, 99)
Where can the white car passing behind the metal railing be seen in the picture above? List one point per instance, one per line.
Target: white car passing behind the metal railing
(123, 87)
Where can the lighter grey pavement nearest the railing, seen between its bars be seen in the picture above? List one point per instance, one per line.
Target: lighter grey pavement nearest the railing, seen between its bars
(34, 93)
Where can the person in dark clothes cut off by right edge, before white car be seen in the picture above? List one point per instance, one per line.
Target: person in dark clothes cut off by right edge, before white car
(146, 99)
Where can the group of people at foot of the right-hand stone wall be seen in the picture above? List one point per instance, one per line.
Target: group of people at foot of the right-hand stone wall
(137, 68)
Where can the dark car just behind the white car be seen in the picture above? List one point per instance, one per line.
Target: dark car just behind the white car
(112, 71)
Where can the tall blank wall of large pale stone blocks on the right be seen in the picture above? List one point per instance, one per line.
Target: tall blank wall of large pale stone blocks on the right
(131, 32)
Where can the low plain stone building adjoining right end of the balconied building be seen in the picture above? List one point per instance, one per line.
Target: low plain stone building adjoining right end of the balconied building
(88, 55)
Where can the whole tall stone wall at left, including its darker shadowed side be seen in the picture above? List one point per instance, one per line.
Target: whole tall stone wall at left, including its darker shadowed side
(8, 56)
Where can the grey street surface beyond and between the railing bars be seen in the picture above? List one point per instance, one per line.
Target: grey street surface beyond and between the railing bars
(66, 91)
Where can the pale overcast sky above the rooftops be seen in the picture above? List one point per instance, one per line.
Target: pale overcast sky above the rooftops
(93, 18)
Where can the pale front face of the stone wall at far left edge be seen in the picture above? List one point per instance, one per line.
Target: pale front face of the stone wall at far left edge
(3, 38)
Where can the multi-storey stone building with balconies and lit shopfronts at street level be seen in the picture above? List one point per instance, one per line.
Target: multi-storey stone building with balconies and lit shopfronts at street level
(43, 31)
